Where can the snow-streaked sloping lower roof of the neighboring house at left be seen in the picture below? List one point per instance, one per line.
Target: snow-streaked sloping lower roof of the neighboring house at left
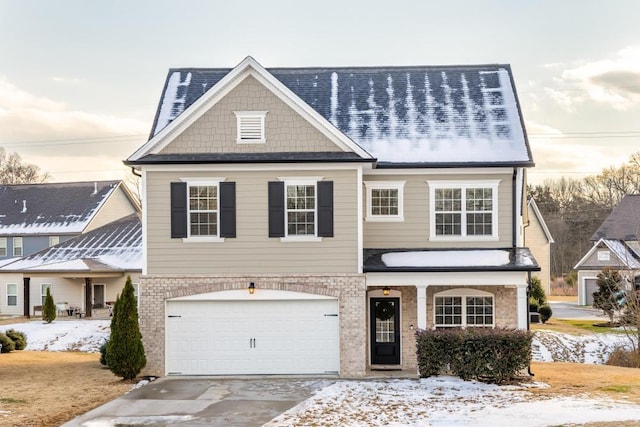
(116, 246)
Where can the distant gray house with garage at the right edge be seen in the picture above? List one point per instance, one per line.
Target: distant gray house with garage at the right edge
(616, 244)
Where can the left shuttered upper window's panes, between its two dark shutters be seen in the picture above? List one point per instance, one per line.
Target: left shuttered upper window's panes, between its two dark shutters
(203, 210)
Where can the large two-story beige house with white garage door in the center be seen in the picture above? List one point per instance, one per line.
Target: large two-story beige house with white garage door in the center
(309, 220)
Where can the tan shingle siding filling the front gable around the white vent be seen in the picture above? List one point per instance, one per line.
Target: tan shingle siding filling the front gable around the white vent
(215, 131)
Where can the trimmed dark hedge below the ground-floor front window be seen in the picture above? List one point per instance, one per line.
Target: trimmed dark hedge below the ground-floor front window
(492, 355)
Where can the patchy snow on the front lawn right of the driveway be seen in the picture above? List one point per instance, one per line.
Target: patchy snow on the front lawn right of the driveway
(445, 401)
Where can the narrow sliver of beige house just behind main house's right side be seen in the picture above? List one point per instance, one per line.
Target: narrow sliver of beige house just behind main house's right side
(538, 239)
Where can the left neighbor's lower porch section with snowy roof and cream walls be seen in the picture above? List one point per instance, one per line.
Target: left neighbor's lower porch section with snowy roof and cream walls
(84, 272)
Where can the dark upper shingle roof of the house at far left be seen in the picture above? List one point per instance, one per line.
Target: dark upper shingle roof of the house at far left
(51, 208)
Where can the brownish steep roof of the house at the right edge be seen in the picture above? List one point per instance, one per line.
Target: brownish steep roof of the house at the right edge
(623, 223)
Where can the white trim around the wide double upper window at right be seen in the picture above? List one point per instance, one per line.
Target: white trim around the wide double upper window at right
(463, 185)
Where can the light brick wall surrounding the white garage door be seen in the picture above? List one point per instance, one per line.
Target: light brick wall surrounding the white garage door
(350, 289)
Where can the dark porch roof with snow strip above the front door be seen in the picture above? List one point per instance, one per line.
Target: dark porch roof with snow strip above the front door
(449, 260)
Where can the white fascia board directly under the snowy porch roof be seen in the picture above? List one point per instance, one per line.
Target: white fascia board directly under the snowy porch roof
(470, 278)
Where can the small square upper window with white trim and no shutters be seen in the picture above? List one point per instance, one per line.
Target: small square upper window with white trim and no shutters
(385, 200)
